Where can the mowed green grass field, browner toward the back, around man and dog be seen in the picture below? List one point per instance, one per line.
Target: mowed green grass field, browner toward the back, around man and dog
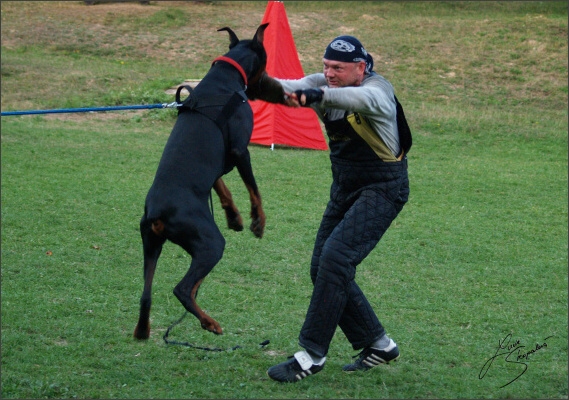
(478, 253)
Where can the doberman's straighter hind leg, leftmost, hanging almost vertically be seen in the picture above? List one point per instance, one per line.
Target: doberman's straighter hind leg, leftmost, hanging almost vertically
(152, 241)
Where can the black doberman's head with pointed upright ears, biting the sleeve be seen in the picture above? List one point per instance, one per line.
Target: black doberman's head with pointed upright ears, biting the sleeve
(252, 57)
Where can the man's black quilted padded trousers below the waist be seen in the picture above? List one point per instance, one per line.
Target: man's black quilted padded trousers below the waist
(364, 199)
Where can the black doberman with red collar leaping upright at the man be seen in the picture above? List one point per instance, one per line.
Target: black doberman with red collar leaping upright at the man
(209, 138)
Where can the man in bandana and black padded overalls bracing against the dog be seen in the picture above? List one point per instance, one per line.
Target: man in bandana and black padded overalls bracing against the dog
(370, 186)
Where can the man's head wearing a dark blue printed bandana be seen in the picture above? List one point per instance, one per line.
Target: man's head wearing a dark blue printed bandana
(346, 62)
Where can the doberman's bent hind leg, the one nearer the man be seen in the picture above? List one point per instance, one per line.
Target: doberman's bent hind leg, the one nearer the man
(206, 253)
